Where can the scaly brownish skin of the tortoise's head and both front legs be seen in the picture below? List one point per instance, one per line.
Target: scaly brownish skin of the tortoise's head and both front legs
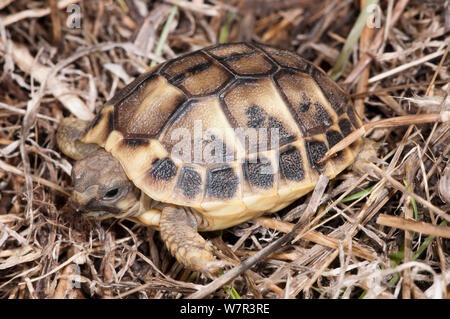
(97, 172)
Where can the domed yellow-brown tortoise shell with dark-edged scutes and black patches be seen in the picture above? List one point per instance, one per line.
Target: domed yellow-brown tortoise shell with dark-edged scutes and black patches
(184, 132)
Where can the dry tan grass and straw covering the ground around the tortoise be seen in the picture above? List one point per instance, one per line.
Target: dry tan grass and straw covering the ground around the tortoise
(335, 249)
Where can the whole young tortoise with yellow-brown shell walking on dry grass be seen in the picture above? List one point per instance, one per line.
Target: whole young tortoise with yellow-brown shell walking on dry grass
(176, 148)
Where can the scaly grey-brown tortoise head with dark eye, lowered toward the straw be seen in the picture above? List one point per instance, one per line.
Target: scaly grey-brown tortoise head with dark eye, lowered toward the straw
(101, 189)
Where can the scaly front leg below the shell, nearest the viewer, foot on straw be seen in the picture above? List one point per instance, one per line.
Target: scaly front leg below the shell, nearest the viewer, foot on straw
(179, 232)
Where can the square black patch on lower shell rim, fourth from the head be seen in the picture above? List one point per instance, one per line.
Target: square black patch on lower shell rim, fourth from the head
(258, 172)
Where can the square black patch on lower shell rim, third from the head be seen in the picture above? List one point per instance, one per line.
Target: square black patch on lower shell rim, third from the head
(221, 182)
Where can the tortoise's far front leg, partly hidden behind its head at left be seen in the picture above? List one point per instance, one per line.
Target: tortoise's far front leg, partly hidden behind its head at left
(67, 138)
